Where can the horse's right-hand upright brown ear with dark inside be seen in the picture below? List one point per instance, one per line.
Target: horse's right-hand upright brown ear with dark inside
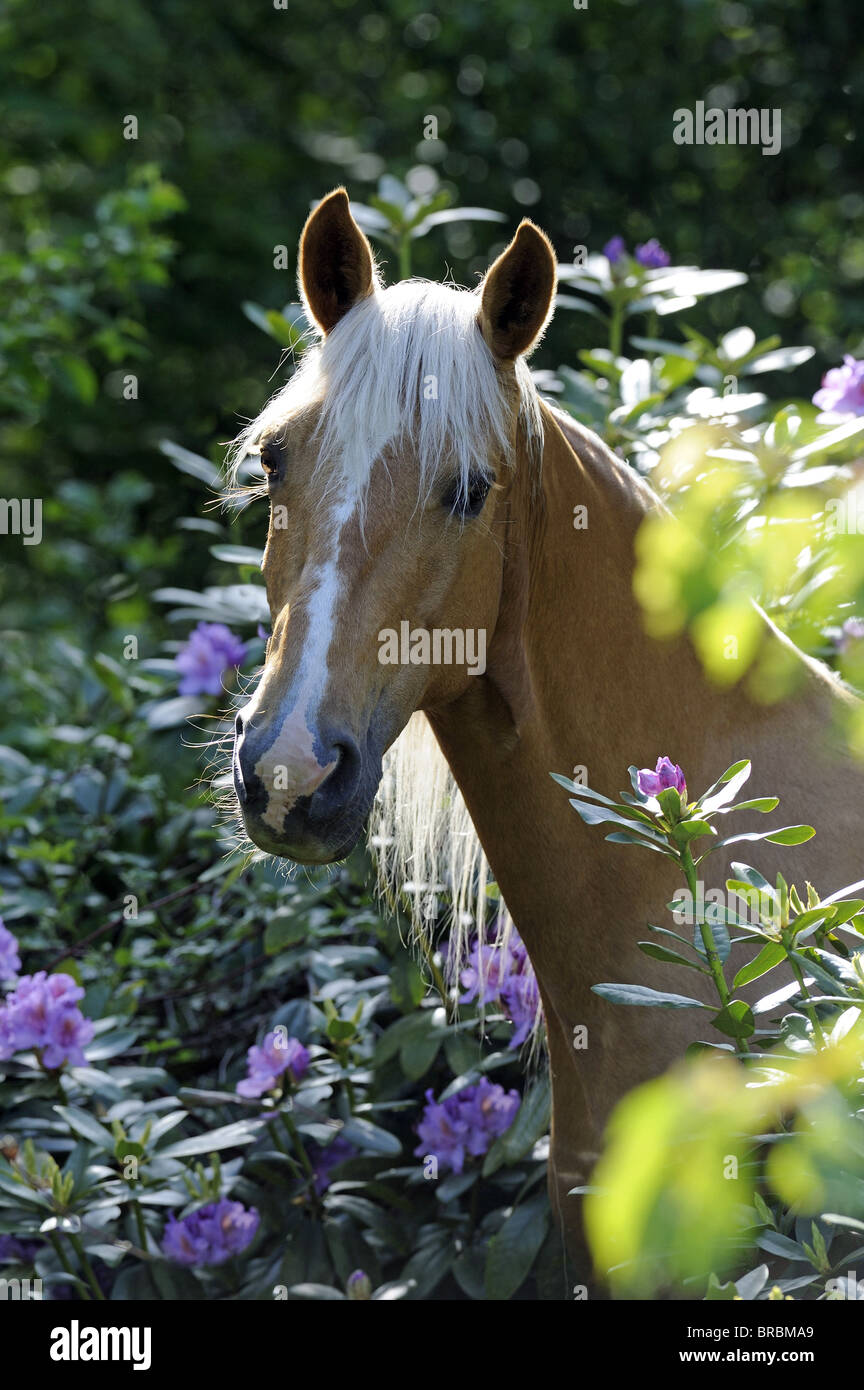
(517, 294)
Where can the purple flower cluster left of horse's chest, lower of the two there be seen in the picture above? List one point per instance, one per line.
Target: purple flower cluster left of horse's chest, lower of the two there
(466, 1124)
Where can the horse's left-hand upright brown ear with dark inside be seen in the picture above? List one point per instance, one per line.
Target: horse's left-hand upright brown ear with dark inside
(337, 266)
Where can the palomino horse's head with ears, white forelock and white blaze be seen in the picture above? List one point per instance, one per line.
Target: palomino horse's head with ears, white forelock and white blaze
(390, 465)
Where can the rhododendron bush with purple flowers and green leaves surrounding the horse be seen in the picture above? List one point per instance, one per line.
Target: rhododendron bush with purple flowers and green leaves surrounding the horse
(223, 1081)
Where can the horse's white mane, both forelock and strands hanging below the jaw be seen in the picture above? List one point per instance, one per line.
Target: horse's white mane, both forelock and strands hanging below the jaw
(412, 358)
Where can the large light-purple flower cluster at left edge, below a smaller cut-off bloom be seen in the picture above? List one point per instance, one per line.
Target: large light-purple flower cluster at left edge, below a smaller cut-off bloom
(42, 1014)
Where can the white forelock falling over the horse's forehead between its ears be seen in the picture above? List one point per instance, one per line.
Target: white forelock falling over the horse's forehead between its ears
(408, 362)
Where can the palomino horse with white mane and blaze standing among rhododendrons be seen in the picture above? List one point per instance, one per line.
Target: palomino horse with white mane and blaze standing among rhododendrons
(417, 477)
